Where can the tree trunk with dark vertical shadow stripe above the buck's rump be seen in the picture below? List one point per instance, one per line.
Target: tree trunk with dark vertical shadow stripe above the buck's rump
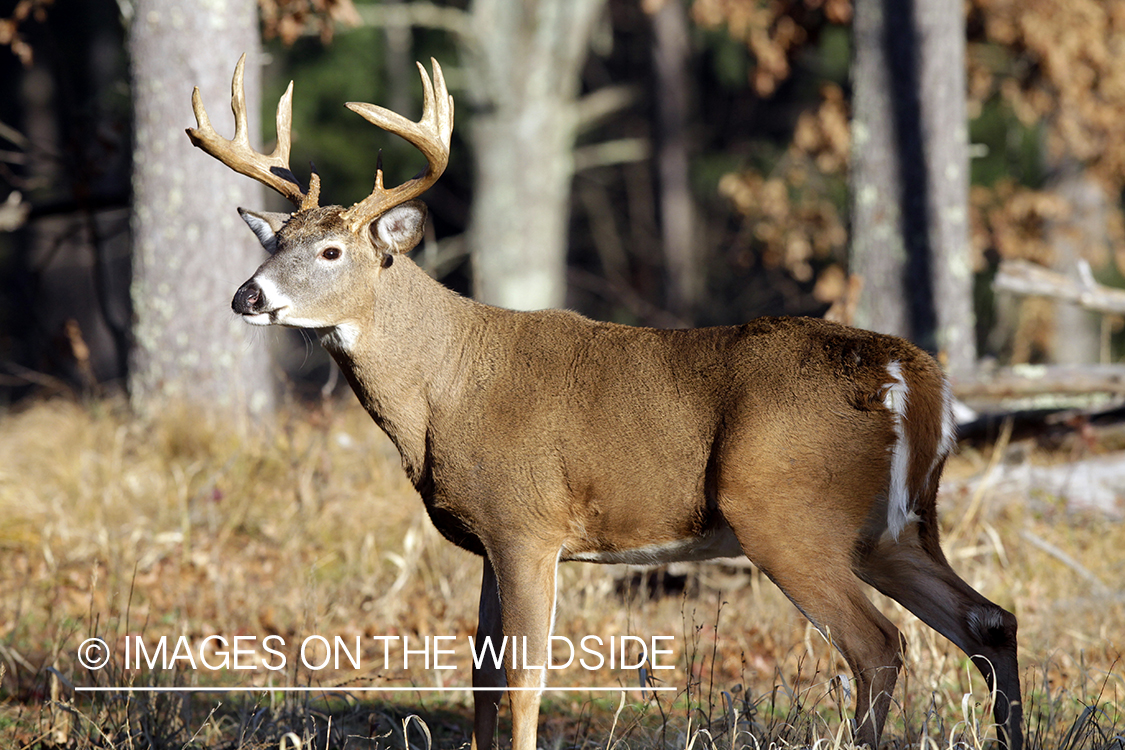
(911, 175)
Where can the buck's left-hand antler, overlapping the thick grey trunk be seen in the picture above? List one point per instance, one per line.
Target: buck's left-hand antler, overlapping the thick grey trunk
(237, 153)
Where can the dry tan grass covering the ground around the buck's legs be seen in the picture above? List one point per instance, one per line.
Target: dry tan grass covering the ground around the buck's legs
(110, 528)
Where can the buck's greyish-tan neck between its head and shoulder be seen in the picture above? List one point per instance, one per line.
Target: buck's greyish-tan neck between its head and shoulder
(406, 356)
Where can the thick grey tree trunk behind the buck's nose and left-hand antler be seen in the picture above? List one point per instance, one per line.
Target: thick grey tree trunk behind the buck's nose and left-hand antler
(191, 249)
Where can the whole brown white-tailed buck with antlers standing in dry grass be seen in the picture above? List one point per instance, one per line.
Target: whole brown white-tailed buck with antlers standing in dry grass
(541, 438)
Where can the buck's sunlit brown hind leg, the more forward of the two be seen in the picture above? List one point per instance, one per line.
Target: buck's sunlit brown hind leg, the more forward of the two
(812, 563)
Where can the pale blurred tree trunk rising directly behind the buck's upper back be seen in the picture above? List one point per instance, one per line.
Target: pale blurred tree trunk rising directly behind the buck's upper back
(525, 66)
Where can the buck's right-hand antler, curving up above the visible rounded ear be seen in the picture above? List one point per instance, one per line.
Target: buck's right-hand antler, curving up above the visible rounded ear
(430, 135)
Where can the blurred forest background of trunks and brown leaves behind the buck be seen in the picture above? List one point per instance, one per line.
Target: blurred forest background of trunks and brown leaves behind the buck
(682, 162)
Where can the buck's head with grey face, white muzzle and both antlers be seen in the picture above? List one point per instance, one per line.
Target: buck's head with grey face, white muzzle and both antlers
(326, 260)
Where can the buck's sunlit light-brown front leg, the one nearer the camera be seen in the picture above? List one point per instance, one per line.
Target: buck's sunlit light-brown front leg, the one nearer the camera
(527, 581)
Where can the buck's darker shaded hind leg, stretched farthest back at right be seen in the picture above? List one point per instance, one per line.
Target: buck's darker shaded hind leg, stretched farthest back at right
(915, 573)
